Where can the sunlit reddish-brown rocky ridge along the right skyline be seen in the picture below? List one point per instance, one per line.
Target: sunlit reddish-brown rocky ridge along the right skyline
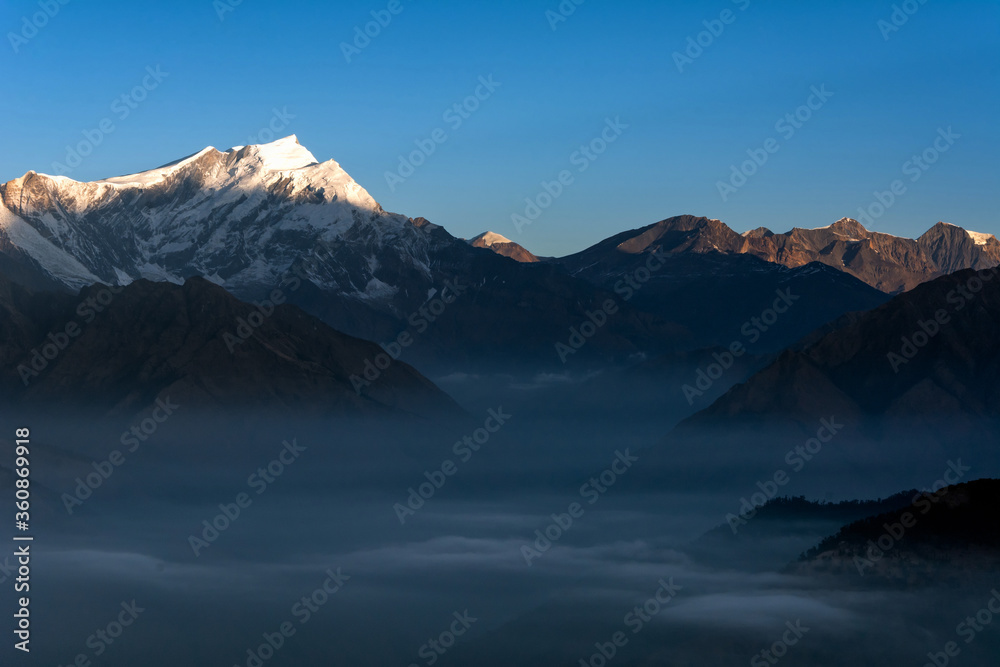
(888, 263)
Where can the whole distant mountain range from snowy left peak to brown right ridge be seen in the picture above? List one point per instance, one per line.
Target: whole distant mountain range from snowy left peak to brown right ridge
(251, 219)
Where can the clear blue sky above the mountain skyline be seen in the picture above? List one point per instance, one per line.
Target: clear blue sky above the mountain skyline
(608, 59)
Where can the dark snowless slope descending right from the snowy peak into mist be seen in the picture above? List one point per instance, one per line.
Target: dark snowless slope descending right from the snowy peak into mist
(506, 316)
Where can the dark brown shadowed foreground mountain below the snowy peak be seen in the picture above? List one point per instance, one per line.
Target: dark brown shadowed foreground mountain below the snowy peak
(118, 349)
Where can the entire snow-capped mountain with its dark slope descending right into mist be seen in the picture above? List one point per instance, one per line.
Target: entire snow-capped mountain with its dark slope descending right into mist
(249, 218)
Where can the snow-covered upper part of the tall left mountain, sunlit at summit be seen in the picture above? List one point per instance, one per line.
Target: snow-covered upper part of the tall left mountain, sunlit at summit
(243, 218)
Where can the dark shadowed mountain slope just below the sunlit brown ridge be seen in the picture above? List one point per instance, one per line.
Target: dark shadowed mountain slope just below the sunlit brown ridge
(719, 297)
